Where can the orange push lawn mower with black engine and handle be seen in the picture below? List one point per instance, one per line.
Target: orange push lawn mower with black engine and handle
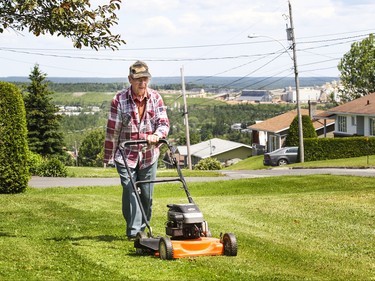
(187, 233)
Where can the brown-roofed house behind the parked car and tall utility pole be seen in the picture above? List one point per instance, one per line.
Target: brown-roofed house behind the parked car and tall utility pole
(272, 132)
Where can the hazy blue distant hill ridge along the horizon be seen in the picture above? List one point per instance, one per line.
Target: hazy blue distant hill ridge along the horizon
(222, 82)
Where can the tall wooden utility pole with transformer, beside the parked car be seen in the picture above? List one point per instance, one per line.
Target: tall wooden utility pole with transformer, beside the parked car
(291, 37)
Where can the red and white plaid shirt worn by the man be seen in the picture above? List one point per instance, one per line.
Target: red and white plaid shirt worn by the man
(123, 124)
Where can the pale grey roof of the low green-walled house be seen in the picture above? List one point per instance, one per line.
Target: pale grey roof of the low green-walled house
(211, 148)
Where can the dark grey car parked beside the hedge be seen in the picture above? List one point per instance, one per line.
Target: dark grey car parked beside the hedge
(281, 156)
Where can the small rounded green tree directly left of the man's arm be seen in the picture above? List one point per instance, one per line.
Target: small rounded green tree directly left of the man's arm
(91, 148)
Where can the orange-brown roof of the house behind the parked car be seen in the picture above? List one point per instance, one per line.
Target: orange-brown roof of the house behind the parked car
(282, 122)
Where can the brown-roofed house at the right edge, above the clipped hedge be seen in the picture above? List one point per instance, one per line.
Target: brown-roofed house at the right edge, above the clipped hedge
(354, 118)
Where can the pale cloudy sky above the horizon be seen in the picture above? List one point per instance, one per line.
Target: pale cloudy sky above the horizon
(204, 38)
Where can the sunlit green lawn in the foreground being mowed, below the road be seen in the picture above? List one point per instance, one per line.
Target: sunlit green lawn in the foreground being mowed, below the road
(288, 228)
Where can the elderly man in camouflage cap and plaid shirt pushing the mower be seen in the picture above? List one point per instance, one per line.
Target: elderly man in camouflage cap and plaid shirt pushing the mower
(137, 113)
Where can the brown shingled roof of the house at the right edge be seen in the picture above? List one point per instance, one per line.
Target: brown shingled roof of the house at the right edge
(362, 106)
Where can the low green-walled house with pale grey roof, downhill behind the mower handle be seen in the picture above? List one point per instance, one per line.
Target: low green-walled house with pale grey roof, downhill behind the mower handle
(223, 150)
